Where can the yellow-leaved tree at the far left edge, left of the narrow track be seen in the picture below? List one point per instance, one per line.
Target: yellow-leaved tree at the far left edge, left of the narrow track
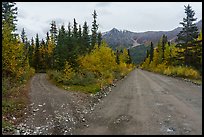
(13, 60)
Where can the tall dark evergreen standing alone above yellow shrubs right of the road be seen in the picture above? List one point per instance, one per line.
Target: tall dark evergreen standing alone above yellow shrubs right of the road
(187, 37)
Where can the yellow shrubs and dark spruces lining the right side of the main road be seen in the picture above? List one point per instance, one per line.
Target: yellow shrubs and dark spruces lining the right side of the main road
(183, 58)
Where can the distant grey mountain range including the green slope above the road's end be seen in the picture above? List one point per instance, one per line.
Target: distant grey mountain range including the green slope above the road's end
(138, 43)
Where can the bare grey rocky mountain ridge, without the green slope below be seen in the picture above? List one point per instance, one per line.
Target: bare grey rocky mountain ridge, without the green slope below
(125, 38)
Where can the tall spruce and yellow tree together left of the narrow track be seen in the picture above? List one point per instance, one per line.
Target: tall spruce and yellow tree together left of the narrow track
(15, 62)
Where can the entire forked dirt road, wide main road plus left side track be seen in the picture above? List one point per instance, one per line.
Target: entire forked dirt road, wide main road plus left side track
(141, 103)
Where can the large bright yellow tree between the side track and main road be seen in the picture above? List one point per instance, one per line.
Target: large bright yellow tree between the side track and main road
(101, 61)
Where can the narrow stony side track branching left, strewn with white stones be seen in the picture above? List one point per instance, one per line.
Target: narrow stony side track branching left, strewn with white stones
(54, 111)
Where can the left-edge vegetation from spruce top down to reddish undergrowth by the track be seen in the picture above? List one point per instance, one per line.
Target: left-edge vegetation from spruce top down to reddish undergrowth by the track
(16, 70)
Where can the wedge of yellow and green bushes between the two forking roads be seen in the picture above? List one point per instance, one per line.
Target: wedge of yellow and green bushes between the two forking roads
(96, 70)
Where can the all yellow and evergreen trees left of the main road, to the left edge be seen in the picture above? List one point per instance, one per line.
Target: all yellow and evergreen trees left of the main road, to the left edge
(70, 55)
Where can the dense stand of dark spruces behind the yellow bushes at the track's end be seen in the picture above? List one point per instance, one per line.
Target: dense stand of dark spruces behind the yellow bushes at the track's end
(62, 45)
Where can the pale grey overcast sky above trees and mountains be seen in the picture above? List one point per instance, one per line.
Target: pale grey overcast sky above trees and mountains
(36, 17)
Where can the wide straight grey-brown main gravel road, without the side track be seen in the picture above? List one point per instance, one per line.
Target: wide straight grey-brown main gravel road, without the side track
(146, 103)
